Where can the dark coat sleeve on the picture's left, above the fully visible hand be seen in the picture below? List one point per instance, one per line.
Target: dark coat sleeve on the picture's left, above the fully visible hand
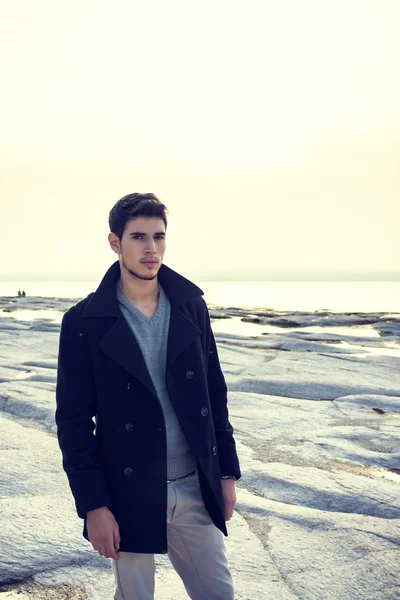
(76, 407)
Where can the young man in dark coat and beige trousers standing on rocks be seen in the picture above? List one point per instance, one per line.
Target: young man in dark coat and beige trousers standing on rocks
(158, 474)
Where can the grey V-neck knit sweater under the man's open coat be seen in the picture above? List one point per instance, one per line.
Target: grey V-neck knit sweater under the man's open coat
(151, 335)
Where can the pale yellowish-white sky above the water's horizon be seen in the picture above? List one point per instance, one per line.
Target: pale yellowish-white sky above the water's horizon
(270, 129)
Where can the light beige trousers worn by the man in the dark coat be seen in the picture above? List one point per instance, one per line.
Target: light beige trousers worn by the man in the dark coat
(196, 549)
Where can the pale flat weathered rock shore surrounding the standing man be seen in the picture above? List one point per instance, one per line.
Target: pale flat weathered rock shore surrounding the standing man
(315, 402)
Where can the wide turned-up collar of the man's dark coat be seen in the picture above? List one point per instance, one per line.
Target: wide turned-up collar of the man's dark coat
(104, 301)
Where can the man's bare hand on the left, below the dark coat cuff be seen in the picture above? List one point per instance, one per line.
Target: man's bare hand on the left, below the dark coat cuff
(103, 532)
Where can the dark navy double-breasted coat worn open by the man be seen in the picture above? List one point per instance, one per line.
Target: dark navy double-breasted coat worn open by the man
(102, 375)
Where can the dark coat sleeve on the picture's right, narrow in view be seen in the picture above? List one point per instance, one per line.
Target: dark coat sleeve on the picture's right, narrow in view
(218, 392)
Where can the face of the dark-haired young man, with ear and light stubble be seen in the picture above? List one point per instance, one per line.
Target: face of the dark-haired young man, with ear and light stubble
(141, 249)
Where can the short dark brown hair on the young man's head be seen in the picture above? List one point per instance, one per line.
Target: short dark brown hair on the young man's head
(132, 206)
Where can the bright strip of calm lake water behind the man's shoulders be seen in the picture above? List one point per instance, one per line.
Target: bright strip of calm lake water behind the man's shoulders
(361, 296)
